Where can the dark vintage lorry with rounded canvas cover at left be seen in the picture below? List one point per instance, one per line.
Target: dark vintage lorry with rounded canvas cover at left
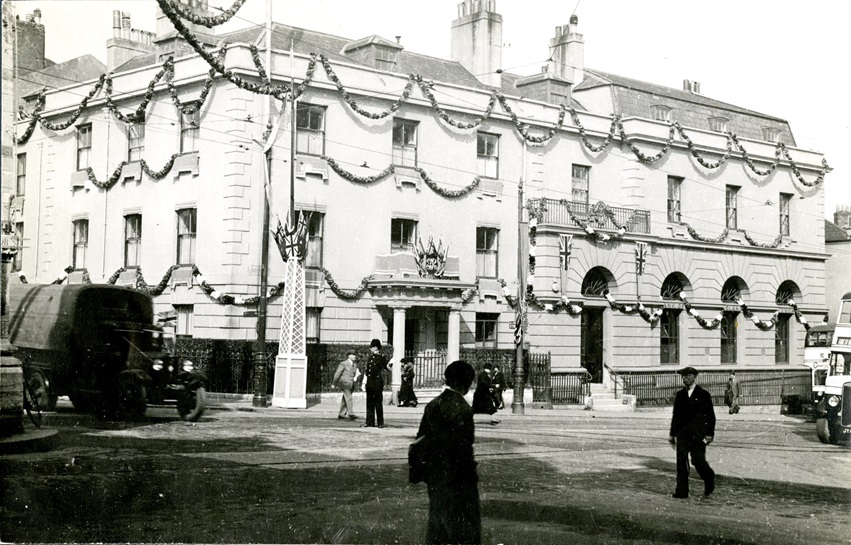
(98, 345)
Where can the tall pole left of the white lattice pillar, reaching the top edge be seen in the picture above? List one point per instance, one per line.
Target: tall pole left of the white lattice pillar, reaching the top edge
(260, 359)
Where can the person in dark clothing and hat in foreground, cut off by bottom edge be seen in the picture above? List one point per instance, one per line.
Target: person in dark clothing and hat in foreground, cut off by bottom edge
(447, 427)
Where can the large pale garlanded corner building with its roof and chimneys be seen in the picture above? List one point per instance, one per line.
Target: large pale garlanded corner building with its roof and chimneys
(680, 230)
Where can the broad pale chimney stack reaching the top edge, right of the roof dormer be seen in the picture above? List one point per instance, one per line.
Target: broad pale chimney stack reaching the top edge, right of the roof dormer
(476, 41)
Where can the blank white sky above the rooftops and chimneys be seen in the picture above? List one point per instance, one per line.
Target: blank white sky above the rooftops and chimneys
(784, 58)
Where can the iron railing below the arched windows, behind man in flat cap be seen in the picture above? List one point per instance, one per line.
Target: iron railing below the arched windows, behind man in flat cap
(759, 387)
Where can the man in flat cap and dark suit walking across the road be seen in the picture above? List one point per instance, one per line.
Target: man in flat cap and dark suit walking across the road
(692, 429)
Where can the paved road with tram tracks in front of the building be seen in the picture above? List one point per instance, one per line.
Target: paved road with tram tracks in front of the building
(303, 476)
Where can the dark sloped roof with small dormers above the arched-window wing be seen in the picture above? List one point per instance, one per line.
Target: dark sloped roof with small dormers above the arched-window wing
(633, 97)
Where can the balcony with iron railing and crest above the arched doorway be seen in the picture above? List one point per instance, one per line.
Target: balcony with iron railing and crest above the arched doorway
(597, 216)
